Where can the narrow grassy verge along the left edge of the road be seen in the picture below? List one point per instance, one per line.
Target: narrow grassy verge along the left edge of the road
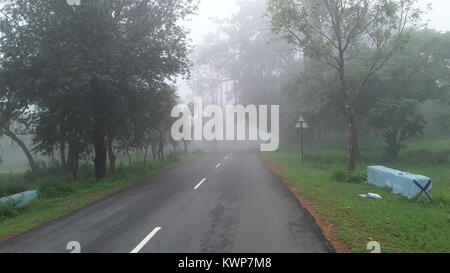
(61, 198)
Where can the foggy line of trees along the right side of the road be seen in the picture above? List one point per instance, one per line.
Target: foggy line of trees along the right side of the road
(362, 69)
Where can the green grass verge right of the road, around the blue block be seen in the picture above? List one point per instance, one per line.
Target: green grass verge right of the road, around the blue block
(399, 224)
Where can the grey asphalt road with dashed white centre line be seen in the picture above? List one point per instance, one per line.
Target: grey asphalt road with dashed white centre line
(221, 203)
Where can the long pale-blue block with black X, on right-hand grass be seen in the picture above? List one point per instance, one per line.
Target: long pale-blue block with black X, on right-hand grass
(400, 182)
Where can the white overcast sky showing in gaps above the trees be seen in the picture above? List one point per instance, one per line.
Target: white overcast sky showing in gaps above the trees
(201, 24)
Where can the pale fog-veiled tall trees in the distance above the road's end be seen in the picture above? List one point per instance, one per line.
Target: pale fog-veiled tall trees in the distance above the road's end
(242, 59)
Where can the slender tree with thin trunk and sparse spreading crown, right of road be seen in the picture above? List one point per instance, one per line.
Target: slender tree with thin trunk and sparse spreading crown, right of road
(331, 31)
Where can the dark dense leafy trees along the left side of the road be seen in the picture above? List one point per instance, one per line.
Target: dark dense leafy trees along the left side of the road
(92, 80)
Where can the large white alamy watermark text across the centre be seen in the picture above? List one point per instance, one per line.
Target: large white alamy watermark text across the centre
(207, 123)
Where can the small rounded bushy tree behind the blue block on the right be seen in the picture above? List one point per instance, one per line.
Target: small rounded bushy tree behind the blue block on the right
(399, 120)
